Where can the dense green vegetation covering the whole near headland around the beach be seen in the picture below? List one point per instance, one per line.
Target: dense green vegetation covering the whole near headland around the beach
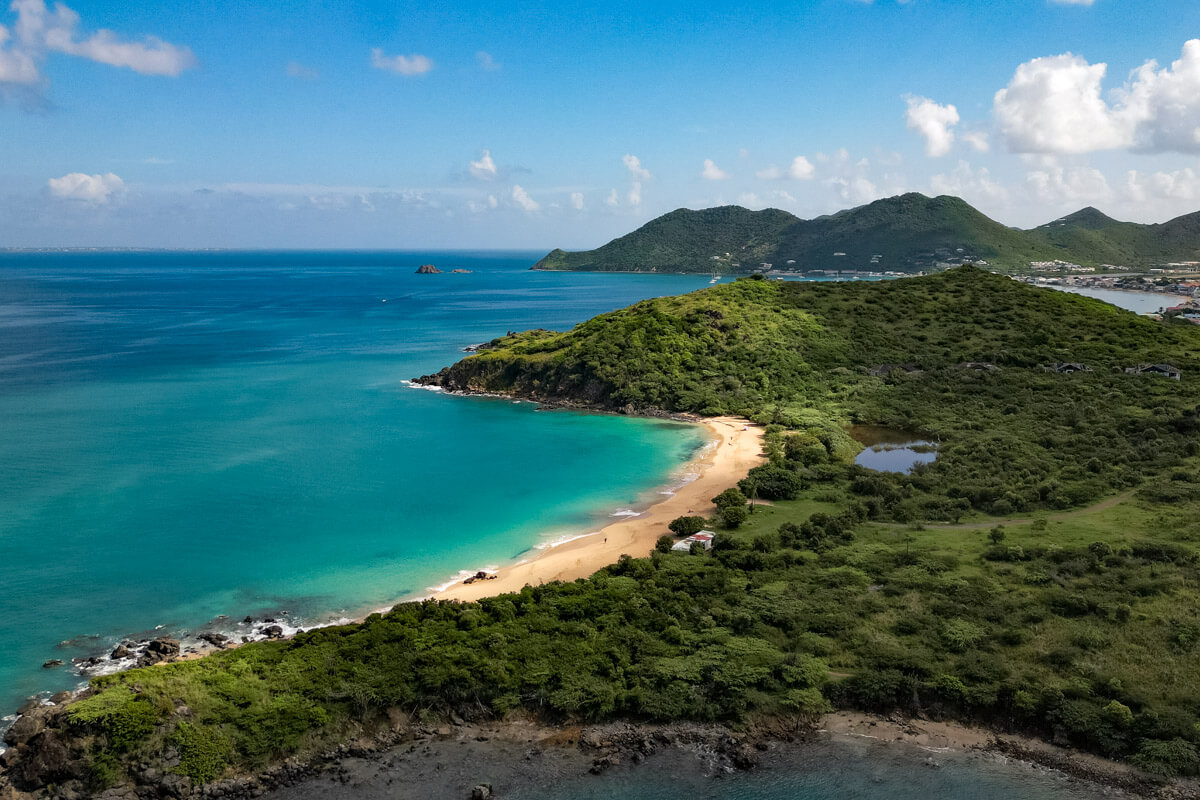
(855, 588)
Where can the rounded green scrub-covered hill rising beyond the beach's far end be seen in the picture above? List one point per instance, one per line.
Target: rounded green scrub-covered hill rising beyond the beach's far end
(751, 346)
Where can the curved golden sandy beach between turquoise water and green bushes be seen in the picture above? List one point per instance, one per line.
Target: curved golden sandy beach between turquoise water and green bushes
(737, 450)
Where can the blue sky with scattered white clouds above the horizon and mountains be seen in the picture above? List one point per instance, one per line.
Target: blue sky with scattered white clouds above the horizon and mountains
(307, 124)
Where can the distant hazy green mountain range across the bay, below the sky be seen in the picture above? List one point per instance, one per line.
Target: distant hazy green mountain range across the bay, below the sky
(907, 234)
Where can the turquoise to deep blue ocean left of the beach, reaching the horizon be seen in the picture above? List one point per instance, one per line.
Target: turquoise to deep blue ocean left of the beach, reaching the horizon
(189, 436)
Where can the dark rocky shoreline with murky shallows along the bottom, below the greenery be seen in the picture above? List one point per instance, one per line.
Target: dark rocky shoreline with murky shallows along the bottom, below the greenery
(407, 757)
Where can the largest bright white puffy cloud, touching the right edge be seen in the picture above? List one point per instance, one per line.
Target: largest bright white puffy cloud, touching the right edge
(1055, 105)
